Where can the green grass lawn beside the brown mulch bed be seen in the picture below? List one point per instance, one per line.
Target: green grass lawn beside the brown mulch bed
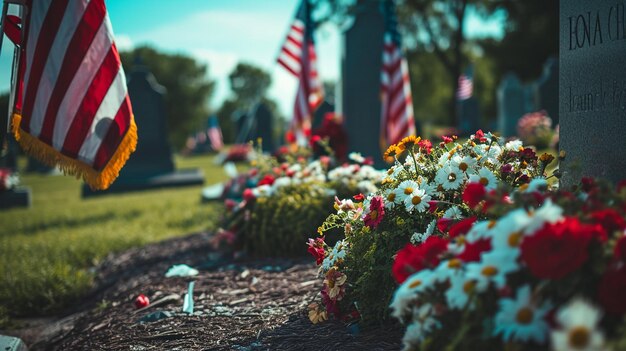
(46, 251)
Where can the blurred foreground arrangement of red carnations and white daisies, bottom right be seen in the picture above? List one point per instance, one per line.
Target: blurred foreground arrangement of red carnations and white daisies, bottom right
(545, 270)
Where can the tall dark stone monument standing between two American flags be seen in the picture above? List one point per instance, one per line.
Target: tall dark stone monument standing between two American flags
(361, 63)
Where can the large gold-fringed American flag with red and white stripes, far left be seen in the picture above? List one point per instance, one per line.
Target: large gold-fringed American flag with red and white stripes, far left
(75, 111)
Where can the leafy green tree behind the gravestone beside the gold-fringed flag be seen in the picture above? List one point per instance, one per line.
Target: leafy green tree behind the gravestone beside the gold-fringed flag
(188, 89)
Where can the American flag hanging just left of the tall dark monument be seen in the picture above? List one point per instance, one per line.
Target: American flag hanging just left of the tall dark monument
(298, 57)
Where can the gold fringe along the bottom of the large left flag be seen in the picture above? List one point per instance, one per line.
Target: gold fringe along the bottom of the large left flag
(96, 180)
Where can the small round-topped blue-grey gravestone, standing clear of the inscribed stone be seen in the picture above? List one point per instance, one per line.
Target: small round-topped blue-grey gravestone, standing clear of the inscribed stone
(511, 104)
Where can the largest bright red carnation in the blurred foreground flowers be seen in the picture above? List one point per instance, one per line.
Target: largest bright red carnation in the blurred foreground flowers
(558, 249)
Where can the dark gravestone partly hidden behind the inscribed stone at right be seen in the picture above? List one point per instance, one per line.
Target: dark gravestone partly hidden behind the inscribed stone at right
(548, 90)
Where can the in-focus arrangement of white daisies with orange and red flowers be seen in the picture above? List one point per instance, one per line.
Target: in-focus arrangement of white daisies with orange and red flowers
(426, 190)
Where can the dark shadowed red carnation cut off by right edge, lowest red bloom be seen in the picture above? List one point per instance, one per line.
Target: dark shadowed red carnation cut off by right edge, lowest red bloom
(612, 290)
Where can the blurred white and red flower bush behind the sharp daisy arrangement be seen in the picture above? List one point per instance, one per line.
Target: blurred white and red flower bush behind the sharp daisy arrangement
(282, 197)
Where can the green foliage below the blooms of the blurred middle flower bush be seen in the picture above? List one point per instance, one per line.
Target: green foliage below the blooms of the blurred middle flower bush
(279, 225)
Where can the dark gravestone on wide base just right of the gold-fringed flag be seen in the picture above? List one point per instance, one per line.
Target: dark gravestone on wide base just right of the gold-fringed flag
(151, 165)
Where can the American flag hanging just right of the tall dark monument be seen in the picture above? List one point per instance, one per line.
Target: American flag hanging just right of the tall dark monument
(397, 105)
